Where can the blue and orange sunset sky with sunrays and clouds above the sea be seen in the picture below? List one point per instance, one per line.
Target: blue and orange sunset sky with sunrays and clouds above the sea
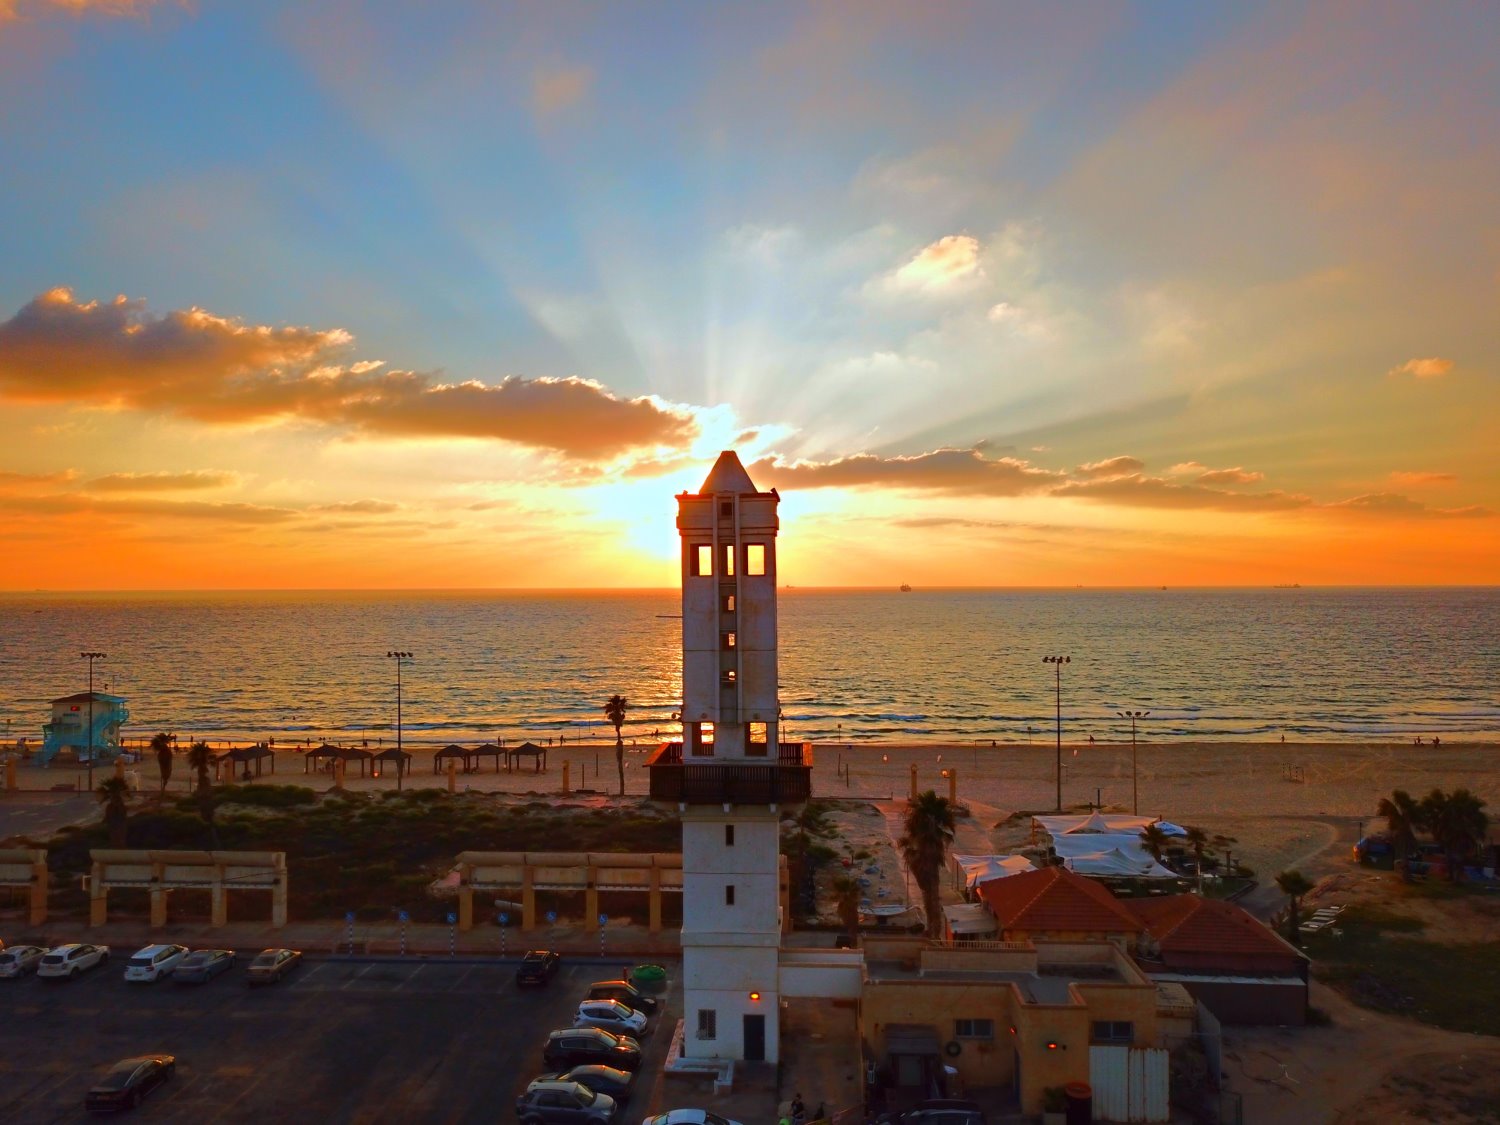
(391, 295)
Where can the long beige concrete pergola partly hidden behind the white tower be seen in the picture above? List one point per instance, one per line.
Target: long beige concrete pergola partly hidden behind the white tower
(655, 874)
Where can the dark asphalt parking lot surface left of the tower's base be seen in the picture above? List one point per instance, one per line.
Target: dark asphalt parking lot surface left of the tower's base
(337, 1042)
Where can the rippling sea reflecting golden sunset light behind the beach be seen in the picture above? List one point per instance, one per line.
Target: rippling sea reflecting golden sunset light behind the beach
(856, 665)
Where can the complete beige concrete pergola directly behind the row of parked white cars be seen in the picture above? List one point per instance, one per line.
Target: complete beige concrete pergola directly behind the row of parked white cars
(163, 872)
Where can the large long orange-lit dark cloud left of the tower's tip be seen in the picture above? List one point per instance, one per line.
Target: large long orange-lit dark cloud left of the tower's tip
(196, 365)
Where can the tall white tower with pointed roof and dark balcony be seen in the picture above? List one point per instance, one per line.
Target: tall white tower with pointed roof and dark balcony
(731, 775)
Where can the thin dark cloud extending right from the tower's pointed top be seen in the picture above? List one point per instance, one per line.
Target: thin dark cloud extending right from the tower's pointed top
(953, 472)
